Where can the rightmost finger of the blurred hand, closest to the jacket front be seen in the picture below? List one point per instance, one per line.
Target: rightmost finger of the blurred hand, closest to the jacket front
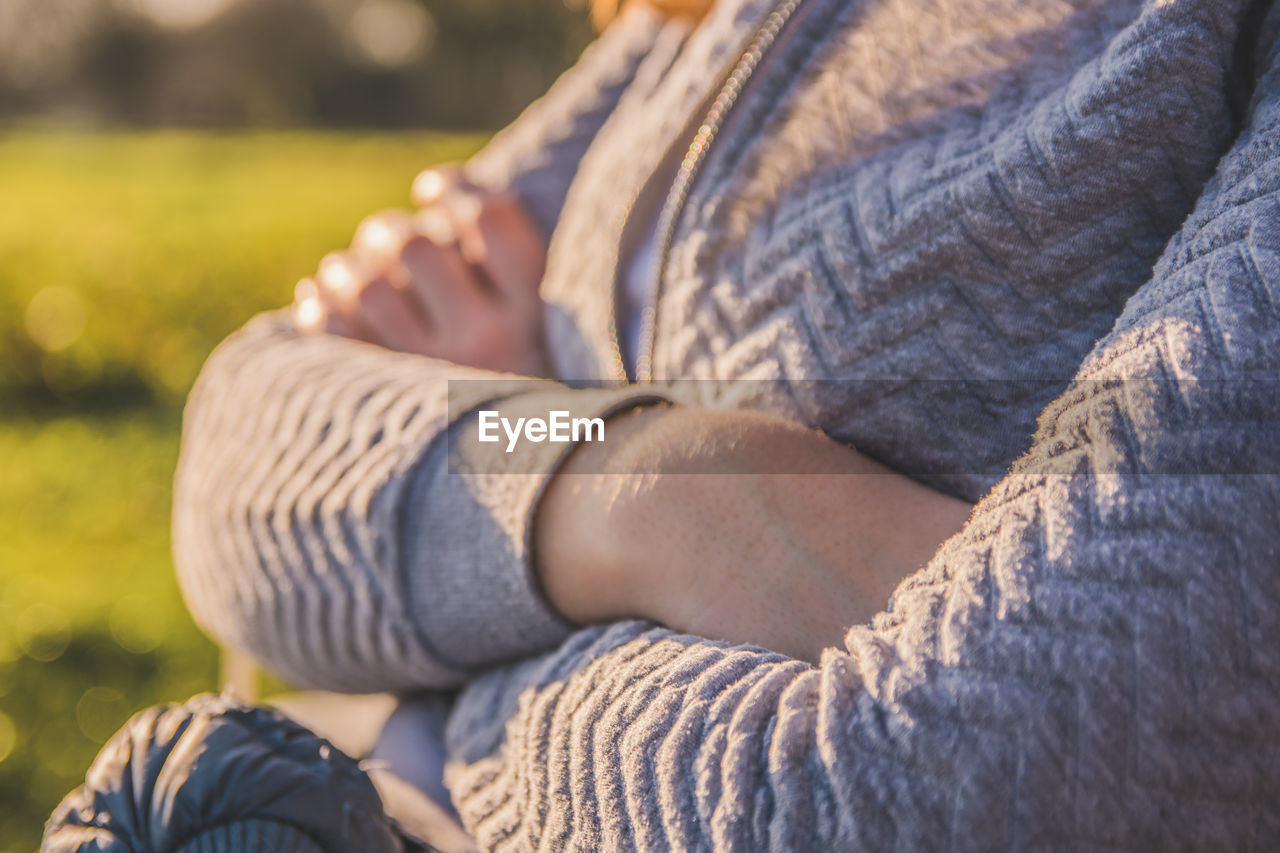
(499, 236)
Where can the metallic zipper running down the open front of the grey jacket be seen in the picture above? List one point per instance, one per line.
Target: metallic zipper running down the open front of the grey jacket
(678, 195)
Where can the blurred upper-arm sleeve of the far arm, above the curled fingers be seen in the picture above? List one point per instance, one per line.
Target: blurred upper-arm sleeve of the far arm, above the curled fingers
(537, 156)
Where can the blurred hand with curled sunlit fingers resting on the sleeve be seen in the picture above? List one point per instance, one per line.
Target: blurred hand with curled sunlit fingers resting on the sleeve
(456, 281)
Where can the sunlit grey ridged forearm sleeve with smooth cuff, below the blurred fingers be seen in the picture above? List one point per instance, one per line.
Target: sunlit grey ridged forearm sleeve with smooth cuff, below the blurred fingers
(336, 518)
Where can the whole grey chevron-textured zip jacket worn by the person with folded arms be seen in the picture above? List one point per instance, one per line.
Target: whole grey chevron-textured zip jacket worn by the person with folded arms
(1035, 253)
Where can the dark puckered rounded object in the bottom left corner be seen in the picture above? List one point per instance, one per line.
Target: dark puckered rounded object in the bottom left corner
(214, 777)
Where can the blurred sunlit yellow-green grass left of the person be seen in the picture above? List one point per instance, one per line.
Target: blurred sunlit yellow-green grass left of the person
(125, 258)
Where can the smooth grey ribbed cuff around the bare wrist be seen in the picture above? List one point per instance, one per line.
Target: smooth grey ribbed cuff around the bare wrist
(468, 532)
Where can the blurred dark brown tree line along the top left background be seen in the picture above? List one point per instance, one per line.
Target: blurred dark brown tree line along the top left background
(284, 63)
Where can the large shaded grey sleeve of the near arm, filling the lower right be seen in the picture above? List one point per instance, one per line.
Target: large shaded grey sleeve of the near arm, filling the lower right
(1091, 662)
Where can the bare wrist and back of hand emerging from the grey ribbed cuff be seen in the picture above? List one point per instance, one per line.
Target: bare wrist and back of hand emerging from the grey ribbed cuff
(684, 518)
